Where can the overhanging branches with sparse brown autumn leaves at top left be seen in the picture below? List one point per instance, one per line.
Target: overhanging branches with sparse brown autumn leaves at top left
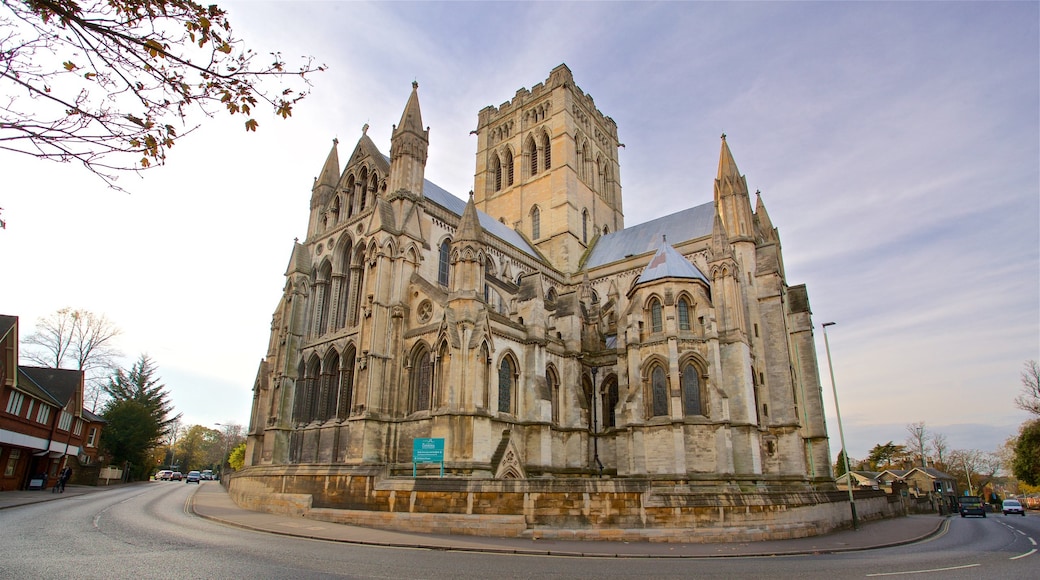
(109, 83)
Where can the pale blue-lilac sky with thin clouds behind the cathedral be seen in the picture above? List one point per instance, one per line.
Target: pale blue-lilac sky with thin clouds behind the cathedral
(897, 147)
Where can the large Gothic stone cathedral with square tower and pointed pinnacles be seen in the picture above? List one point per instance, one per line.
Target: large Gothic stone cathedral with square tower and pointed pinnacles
(542, 339)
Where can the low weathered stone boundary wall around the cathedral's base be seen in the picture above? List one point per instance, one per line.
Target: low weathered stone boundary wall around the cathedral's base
(630, 510)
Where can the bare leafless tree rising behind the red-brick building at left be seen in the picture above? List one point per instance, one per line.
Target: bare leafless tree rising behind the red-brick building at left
(80, 339)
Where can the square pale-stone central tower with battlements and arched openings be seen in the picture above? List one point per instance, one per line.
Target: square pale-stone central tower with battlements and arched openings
(548, 167)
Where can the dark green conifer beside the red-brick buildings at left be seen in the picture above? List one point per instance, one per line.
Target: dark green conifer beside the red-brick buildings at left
(140, 390)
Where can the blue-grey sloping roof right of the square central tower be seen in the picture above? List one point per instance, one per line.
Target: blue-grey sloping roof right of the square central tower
(687, 225)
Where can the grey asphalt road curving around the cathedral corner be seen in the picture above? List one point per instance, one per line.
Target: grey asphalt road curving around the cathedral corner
(147, 532)
